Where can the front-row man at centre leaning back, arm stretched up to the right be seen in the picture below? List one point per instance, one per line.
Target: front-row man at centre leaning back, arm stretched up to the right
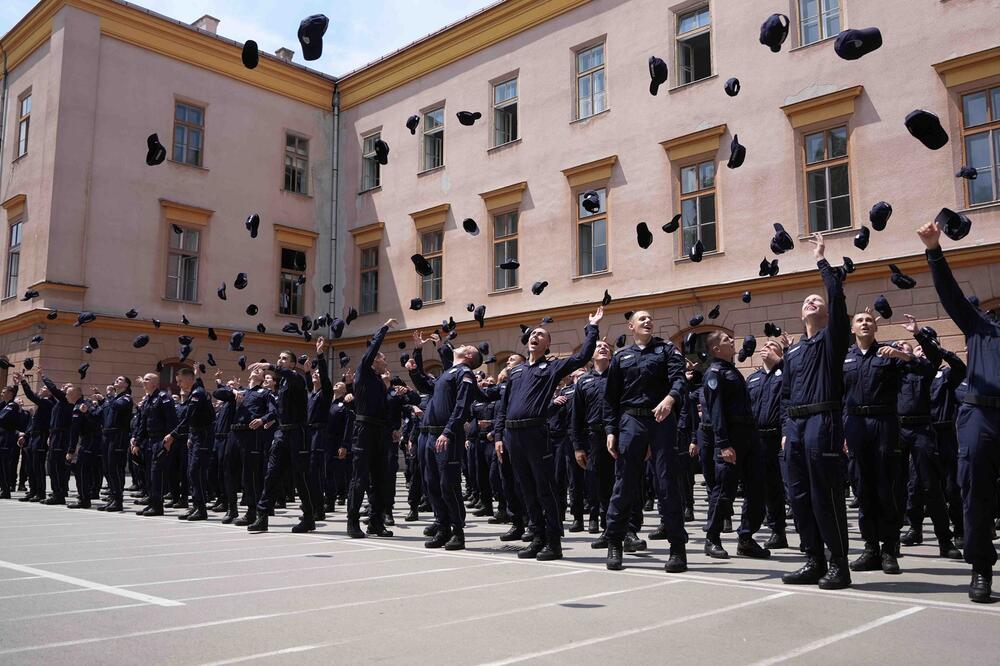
(521, 433)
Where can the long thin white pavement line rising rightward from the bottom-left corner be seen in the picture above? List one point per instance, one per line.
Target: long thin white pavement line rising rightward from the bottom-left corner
(267, 616)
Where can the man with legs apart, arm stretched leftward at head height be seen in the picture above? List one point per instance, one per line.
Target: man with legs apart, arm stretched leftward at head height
(289, 449)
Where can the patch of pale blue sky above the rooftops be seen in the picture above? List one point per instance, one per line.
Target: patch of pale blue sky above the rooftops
(360, 30)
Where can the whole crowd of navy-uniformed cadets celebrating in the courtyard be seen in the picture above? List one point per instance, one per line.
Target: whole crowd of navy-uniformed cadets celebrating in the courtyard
(592, 439)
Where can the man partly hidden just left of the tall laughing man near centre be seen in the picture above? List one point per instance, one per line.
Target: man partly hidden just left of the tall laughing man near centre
(589, 440)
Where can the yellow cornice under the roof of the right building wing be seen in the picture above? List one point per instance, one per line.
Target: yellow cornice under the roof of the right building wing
(489, 27)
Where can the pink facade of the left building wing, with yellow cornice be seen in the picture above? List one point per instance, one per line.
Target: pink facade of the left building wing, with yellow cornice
(90, 227)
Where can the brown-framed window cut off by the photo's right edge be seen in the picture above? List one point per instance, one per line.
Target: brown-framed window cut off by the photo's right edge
(981, 134)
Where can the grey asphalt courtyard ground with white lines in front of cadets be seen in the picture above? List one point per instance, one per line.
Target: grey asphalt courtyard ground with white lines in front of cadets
(84, 587)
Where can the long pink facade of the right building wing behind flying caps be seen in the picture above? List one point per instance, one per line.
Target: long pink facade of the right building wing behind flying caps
(563, 91)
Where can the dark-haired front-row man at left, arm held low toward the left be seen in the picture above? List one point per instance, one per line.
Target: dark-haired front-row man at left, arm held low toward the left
(198, 428)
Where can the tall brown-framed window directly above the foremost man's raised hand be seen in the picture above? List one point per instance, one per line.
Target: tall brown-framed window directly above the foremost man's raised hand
(828, 190)
